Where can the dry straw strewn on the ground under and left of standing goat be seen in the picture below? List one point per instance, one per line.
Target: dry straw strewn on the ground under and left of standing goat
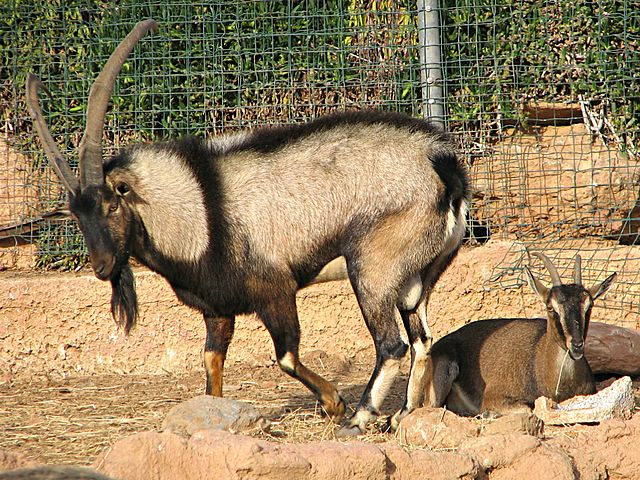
(72, 421)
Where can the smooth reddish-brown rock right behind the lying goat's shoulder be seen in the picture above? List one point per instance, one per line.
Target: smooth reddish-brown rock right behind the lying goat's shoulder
(613, 349)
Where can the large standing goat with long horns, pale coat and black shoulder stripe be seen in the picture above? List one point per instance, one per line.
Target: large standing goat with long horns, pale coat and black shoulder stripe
(238, 224)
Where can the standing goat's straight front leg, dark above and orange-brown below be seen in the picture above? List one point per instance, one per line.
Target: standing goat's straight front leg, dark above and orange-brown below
(219, 334)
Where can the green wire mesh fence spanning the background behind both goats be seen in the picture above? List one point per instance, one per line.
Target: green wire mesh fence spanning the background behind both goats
(543, 98)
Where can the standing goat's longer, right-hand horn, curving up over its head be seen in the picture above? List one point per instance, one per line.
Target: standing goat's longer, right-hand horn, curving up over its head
(90, 151)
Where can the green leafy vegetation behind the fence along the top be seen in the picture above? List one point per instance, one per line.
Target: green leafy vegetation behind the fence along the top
(219, 65)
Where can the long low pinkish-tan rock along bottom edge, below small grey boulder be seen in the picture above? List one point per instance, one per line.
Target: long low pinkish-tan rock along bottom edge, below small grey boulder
(220, 454)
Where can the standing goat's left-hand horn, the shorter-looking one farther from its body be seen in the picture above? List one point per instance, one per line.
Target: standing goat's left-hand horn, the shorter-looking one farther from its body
(59, 163)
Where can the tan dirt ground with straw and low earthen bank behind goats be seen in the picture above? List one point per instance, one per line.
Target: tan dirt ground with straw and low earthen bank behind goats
(64, 403)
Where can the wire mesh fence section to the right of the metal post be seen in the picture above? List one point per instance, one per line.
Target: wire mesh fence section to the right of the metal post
(544, 98)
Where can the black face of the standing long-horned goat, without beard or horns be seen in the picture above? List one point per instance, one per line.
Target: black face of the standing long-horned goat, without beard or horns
(105, 222)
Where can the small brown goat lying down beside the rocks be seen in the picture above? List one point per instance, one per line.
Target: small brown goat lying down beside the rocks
(505, 364)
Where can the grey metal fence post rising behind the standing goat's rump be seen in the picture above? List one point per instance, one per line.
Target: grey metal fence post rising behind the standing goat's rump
(430, 61)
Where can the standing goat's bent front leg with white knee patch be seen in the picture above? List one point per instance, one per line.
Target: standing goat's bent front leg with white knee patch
(280, 317)
